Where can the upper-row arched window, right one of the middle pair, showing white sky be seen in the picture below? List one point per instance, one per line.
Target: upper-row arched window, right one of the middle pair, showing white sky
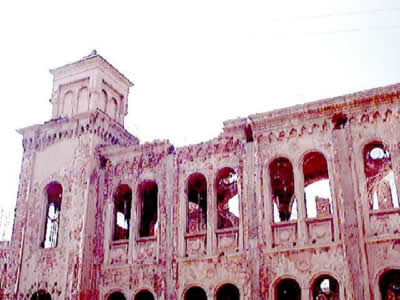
(227, 199)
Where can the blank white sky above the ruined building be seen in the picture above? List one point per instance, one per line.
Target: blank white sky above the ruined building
(194, 63)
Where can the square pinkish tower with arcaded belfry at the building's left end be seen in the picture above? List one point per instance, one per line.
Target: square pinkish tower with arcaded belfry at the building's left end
(59, 181)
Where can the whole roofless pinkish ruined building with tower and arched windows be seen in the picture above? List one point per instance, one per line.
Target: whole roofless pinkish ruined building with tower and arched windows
(298, 203)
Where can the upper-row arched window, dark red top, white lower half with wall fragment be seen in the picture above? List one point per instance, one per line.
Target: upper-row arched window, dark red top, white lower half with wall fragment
(317, 191)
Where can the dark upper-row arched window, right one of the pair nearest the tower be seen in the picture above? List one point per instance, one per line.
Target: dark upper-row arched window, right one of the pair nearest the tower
(148, 195)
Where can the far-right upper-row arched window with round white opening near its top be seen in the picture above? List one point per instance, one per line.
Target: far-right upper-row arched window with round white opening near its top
(381, 188)
